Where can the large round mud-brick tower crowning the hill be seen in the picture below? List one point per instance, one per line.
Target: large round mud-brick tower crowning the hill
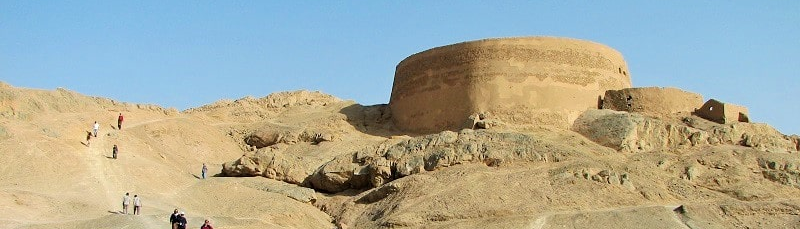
(525, 80)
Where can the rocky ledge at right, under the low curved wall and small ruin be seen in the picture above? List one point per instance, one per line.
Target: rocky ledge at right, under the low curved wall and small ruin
(629, 132)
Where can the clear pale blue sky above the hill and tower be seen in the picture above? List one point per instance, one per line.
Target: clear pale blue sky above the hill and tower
(185, 54)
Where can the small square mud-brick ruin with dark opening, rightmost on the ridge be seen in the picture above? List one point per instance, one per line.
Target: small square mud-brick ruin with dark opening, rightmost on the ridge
(723, 113)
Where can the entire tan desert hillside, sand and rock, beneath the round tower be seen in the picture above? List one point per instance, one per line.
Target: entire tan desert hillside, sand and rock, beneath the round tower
(310, 160)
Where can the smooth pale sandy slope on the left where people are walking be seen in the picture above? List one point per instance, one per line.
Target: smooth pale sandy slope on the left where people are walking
(52, 179)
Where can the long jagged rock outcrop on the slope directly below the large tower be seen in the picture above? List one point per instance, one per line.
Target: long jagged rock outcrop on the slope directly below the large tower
(376, 166)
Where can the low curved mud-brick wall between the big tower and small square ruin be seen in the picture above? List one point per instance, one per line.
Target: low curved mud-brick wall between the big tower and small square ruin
(652, 101)
